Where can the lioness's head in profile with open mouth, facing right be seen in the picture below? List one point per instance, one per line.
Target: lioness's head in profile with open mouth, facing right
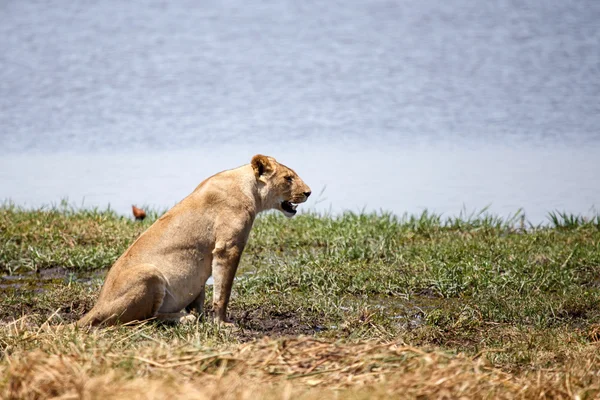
(281, 188)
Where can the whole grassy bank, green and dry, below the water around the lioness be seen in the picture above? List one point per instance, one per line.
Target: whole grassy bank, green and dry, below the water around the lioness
(367, 304)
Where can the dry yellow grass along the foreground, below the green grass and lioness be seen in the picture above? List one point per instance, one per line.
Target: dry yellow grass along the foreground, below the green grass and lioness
(46, 363)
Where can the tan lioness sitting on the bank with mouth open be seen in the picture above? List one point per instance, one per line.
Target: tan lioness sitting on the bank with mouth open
(165, 270)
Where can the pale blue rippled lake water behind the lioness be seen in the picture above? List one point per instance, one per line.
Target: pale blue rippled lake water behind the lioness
(378, 105)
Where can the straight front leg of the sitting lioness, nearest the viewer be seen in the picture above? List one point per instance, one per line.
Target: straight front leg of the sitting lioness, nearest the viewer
(224, 266)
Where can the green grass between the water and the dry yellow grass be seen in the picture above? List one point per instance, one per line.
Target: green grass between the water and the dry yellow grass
(464, 283)
